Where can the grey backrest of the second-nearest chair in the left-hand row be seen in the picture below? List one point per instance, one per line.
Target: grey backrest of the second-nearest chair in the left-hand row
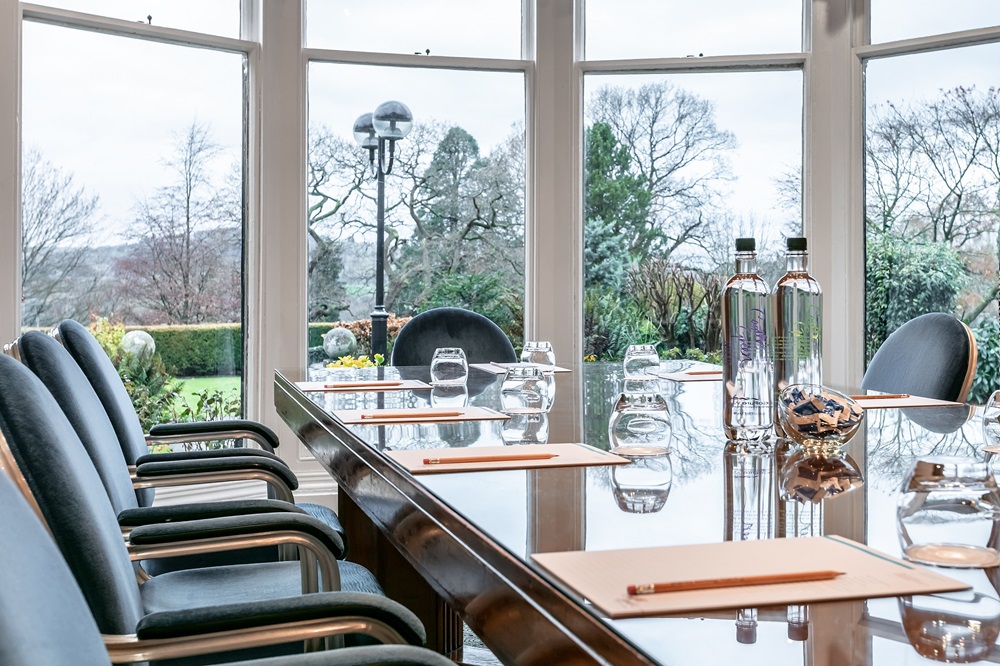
(49, 458)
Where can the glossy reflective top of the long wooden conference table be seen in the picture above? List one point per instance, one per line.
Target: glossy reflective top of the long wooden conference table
(702, 492)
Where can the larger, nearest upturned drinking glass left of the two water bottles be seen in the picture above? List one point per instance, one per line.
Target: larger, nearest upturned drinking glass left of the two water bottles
(639, 425)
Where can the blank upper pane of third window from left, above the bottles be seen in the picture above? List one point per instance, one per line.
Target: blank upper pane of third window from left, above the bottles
(678, 29)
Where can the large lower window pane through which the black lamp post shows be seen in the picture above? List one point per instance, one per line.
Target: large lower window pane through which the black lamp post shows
(454, 200)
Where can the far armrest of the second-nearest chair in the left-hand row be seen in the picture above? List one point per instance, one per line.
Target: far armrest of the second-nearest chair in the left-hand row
(147, 540)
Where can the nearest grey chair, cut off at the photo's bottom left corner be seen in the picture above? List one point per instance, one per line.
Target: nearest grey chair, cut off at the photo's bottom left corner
(46, 619)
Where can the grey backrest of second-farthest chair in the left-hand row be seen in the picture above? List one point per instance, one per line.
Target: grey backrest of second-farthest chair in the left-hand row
(69, 386)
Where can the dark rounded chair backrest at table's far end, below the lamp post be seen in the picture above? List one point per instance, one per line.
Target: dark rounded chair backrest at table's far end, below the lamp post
(482, 340)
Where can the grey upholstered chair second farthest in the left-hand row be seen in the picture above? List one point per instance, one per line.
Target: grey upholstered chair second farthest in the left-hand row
(64, 379)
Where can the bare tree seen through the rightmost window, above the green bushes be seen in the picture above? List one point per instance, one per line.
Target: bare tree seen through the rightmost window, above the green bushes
(933, 174)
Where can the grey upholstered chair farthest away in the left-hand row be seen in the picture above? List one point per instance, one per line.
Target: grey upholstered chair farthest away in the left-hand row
(103, 377)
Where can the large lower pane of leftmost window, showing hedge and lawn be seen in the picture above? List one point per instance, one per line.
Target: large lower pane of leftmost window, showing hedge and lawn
(133, 209)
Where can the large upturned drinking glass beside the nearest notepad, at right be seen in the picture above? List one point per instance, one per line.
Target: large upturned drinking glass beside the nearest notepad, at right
(947, 513)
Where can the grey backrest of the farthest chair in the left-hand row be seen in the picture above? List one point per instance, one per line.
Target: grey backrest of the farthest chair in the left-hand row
(101, 372)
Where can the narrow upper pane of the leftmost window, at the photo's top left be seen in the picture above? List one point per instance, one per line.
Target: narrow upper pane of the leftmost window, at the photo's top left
(218, 17)
